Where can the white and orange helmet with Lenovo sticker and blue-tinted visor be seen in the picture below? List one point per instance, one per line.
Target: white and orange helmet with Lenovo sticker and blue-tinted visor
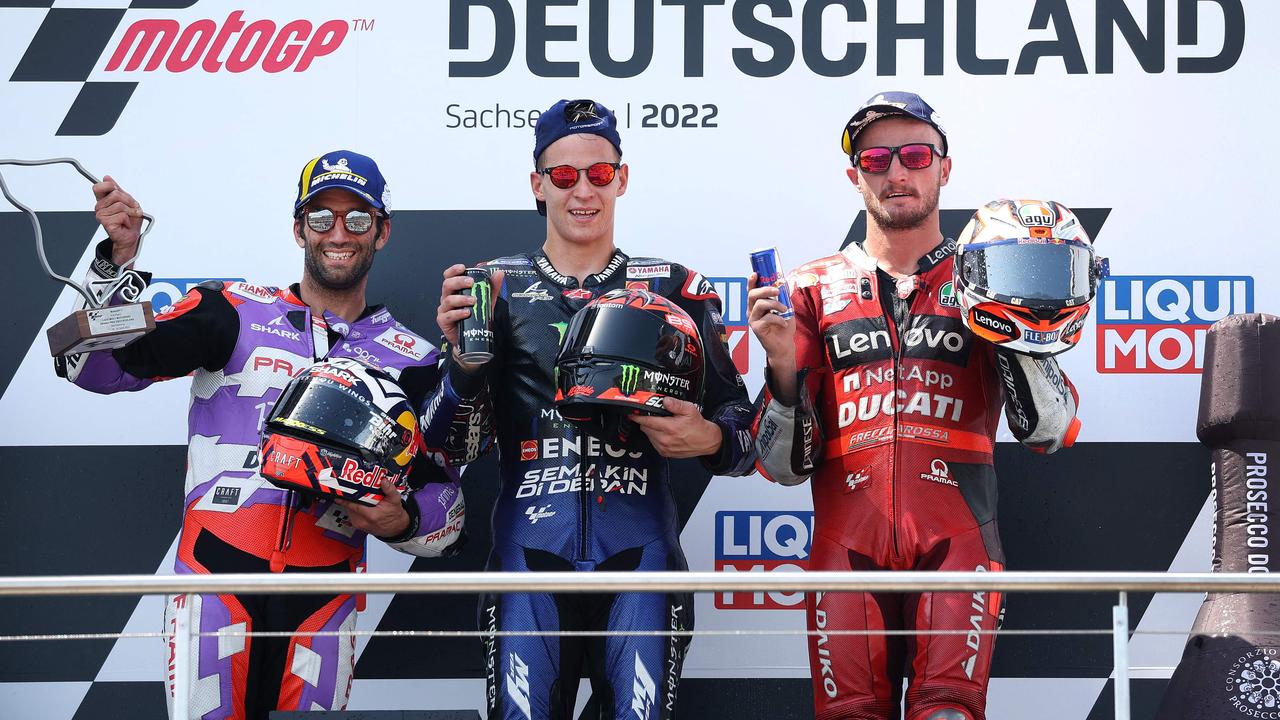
(1026, 275)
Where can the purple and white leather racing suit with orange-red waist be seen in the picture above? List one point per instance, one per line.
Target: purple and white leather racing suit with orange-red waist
(243, 344)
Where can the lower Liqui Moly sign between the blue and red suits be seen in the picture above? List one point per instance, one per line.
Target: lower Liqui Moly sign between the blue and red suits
(749, 541)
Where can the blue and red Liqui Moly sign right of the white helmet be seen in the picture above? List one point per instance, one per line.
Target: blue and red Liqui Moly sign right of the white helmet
(1158, 325)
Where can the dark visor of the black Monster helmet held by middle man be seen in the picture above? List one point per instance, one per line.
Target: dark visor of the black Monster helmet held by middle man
(644, 338)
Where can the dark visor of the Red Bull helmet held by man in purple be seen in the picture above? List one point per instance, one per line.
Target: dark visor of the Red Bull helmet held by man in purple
(327, 409)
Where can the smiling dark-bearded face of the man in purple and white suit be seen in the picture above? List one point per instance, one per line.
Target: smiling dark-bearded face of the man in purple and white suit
(340, 259)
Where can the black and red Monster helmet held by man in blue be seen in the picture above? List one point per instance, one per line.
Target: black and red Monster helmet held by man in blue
(623, 354)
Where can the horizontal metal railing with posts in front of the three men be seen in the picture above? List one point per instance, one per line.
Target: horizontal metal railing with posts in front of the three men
(1119, 584)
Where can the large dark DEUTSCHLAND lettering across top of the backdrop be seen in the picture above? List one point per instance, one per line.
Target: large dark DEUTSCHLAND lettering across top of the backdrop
(546, 38)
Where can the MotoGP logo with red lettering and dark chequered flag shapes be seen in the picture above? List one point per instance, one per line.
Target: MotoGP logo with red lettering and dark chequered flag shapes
(72, 42)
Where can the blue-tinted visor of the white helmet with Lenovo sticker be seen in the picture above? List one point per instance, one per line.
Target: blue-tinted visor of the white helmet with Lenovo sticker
(1031, 271)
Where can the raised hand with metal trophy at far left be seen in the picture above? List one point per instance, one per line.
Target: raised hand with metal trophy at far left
(111, 315)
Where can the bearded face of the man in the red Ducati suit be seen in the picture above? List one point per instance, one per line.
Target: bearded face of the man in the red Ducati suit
(900, 199)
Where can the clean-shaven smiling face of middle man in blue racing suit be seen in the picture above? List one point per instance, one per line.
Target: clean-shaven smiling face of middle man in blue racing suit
(584, 213)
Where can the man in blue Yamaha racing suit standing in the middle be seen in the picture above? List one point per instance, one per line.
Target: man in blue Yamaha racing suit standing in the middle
(572, 502)
